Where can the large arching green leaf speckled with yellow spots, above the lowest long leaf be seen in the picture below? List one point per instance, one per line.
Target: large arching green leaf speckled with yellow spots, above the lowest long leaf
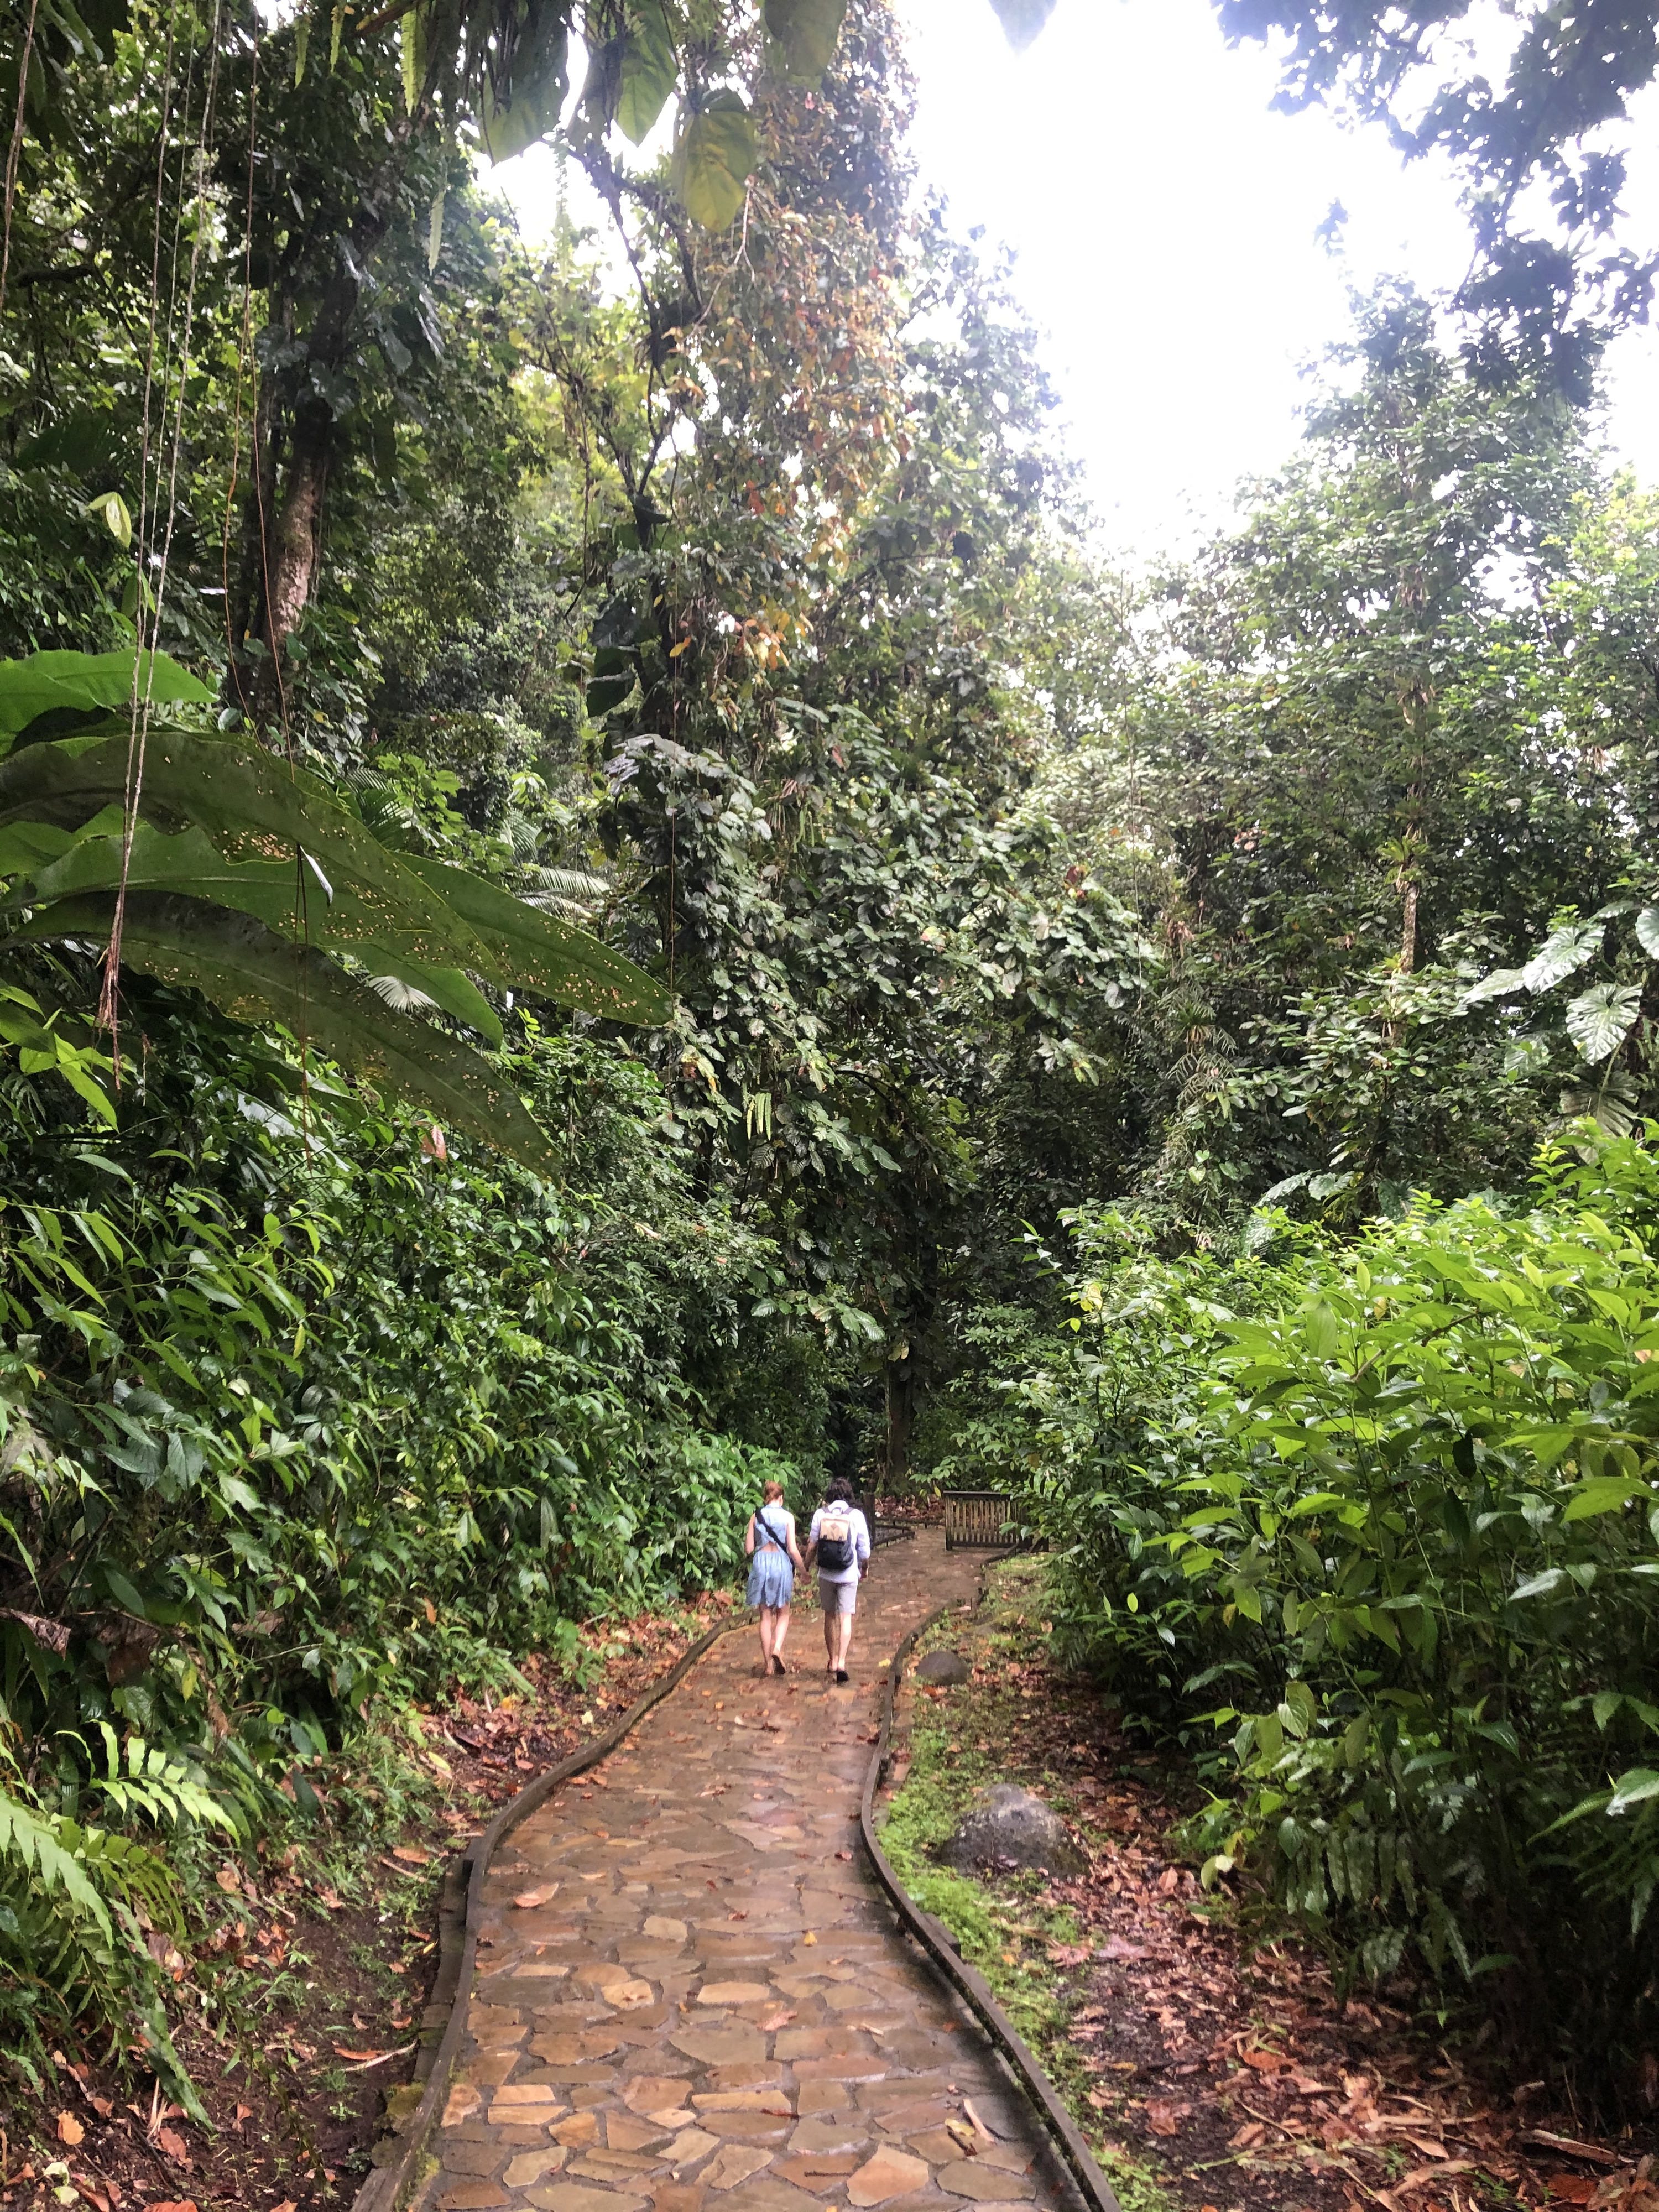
(255, 811)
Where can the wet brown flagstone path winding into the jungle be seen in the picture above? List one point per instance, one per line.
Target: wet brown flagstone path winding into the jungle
(691, 1994)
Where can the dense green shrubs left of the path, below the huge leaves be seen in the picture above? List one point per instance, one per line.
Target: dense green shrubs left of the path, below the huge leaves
(304, 1417)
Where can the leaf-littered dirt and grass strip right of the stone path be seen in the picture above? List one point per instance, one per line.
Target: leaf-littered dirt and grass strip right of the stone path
(1215, 2074)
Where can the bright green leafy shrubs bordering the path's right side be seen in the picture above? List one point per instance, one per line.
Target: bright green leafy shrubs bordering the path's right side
(1386, 1516)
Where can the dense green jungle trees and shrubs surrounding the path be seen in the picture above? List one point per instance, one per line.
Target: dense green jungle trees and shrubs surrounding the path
(603, 895)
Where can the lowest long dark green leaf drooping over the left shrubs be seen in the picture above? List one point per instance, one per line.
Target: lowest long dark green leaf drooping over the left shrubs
(255, 977)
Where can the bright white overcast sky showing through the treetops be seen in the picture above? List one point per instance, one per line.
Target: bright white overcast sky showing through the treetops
(1165, 229)
